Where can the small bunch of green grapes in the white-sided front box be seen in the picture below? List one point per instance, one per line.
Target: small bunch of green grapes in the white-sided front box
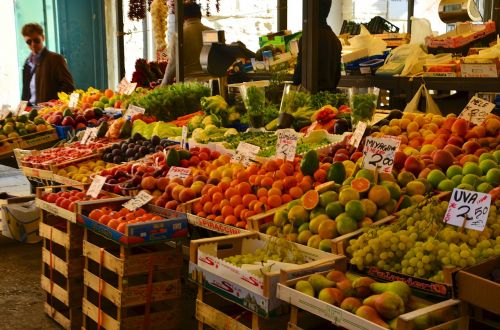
(277, 249)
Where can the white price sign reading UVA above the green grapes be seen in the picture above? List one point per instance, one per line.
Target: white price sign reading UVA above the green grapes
(468, 209)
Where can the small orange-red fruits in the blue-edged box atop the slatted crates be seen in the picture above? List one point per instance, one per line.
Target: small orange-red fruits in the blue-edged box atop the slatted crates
(118, 220)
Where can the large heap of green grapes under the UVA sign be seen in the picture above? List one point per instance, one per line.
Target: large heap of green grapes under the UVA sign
(420, 244)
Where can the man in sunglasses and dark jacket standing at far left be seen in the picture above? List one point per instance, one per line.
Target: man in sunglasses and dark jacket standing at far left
(45, 73)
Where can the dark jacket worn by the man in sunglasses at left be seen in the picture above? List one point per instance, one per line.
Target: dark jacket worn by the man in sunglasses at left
(52, 76)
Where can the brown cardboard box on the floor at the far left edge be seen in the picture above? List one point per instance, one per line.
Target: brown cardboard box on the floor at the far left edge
(20, 218)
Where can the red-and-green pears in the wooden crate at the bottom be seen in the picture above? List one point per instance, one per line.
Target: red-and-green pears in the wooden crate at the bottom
(380, 303)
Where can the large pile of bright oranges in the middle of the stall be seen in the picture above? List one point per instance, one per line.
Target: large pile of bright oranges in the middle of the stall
(253, 190)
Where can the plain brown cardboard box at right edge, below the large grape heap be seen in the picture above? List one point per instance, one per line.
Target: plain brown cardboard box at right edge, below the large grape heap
(474, 285)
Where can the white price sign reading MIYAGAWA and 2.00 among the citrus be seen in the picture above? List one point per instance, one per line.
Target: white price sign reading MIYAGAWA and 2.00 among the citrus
(379, 153)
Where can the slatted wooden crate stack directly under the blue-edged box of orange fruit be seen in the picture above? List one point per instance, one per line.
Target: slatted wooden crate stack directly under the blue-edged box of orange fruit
(128, 288)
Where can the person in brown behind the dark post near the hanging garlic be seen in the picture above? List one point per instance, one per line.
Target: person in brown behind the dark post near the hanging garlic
(193, 43)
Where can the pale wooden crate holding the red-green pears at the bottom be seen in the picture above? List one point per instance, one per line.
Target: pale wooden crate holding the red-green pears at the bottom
(454, 310)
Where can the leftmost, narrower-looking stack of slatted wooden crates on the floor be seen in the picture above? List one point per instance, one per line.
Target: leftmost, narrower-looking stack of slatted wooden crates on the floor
(62, 270)
